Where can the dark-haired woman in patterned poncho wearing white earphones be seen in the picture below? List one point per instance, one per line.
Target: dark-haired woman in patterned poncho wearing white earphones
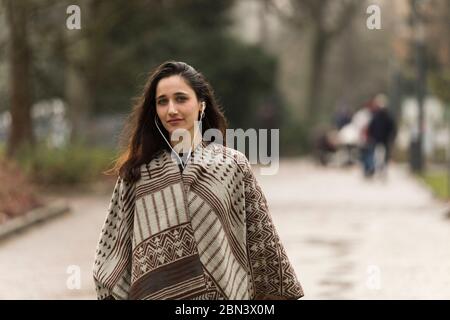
(190, 228)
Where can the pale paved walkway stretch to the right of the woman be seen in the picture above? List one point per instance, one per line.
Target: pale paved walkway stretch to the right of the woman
(354, 239)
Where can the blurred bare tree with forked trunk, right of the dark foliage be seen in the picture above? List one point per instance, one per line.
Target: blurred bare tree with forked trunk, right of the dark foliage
(325, 20)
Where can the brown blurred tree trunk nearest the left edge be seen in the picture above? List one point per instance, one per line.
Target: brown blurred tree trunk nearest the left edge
(21, 130)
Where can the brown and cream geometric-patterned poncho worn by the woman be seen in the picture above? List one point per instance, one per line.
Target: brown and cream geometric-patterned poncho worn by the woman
(203, 233)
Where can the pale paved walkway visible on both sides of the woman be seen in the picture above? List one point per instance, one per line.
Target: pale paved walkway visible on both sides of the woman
(347, 238)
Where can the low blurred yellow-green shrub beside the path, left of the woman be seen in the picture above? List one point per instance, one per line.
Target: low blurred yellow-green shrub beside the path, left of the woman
(72, 164)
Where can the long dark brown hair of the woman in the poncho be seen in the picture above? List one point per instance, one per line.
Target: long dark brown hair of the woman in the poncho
(140, 140)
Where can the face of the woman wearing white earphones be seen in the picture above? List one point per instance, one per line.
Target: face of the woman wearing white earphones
(176, 104)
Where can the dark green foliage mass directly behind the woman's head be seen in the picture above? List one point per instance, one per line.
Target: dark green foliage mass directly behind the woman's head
(195, 31)
